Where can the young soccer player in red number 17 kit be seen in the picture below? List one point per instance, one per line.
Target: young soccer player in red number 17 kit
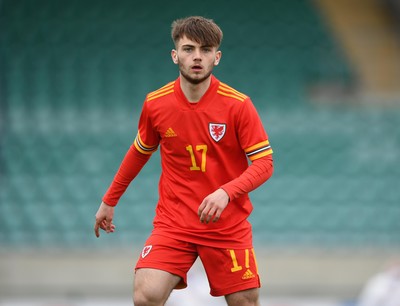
(206, 131)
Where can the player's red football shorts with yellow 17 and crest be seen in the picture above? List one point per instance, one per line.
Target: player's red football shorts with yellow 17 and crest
(227, 270)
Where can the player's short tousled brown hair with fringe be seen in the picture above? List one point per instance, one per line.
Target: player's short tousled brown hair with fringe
(199, 29)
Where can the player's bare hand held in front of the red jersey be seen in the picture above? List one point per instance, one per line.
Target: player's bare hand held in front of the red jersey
(212, 206)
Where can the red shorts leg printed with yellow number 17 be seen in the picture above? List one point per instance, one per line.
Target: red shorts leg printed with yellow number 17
(229, 271)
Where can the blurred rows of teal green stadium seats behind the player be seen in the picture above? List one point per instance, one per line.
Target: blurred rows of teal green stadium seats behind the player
(76, 73)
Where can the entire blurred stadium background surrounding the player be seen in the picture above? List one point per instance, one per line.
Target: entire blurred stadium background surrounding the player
(325, 77)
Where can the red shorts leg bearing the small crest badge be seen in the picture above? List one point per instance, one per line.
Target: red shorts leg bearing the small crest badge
(169, 255)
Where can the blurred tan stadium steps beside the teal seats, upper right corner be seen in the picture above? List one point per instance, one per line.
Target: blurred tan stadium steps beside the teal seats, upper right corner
(367, 34)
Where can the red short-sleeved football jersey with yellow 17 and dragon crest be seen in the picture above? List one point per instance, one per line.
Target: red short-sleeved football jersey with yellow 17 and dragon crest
(203, 145)
